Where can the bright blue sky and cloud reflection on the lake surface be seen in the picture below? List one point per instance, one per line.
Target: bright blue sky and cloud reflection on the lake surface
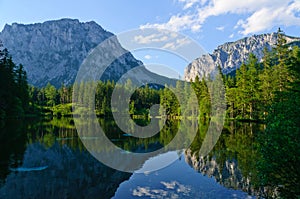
(178, 180)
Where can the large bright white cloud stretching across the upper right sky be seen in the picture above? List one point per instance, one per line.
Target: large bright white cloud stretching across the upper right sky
(260, 15)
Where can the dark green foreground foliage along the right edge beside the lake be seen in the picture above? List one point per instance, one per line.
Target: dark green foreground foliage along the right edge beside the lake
(280, 142)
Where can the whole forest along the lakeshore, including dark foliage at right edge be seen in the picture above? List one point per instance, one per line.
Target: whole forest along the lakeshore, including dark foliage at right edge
(265, 91)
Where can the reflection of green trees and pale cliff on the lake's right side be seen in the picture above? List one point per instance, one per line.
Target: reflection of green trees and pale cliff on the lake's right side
(232, 162)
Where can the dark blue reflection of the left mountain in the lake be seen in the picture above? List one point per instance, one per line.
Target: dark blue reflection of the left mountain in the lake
(61, 172)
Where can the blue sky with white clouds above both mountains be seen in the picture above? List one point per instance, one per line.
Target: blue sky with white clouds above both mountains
(208, 22)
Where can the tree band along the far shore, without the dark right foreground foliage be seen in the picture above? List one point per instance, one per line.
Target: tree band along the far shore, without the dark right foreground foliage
(249, 92)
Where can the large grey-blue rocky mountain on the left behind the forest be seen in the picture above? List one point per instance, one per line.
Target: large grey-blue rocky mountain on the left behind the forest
(54, 50)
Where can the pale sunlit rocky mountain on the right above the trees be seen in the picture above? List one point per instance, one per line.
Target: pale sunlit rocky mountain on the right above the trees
(231, 55)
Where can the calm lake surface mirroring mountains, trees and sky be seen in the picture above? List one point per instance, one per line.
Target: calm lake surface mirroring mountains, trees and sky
(46, 159)
